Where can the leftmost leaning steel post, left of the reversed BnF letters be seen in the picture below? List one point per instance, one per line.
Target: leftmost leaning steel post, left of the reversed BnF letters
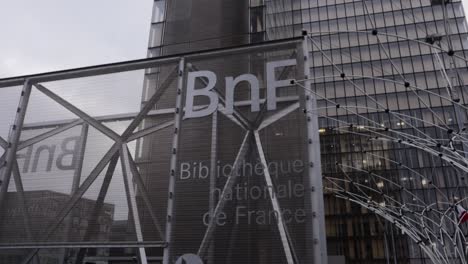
(13, 141)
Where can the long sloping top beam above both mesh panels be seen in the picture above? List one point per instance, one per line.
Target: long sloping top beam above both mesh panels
(146, 63)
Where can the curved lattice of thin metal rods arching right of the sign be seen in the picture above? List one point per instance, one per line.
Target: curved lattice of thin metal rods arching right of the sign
(433, 225)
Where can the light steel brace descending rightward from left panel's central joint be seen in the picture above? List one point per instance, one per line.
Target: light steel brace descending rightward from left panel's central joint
(131, 199)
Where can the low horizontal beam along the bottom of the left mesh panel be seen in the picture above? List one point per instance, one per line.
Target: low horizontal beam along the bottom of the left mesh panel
(113, 244)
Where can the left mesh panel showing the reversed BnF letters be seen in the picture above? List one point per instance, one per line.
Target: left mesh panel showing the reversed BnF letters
(75, 186)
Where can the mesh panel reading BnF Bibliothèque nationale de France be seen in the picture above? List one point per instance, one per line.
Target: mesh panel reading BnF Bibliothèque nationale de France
(225, 207)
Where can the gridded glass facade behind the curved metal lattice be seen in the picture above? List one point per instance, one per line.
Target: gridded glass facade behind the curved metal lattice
(380, 45)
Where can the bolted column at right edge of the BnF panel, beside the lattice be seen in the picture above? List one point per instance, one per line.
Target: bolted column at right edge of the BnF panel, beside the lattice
(314, 169)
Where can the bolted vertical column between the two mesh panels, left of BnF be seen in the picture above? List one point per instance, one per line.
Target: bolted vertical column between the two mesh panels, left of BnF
(172, 176)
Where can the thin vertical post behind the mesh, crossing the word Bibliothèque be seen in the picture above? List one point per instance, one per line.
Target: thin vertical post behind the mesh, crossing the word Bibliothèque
(213, 158)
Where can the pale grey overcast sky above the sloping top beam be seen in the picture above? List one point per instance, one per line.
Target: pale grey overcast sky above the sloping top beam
(45, 35)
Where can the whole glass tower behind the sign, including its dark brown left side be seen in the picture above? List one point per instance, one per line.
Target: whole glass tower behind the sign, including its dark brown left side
(396, 65)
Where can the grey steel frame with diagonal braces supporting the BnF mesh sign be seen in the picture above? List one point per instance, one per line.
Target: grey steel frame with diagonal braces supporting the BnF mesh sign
(119, 150)
